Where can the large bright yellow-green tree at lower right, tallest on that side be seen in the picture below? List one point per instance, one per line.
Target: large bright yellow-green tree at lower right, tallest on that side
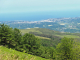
(65, 49)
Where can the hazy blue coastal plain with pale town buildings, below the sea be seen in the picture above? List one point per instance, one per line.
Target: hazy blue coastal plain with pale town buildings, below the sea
(71, 25)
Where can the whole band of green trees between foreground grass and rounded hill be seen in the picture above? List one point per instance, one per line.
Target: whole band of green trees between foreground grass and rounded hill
(65, 49)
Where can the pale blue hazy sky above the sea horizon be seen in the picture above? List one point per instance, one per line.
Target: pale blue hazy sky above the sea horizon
(16, 6)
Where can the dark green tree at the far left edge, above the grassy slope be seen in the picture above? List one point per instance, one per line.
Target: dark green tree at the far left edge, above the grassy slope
(6, 36)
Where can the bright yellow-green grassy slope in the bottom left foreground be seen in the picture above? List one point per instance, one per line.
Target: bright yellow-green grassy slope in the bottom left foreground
(10, 54)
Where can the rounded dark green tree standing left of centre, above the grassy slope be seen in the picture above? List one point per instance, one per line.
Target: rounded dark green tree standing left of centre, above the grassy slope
(31, 43)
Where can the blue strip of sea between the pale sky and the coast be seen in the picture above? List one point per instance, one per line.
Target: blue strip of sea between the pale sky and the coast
(37, 16)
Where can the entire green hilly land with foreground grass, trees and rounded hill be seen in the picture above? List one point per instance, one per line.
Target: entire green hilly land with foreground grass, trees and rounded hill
(45, 43)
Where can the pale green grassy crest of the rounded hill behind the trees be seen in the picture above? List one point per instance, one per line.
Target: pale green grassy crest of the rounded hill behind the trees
(51, 32)
